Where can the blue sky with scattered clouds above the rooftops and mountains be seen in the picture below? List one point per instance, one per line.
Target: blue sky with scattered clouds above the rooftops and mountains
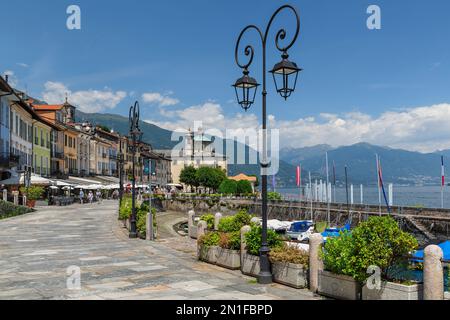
(184, 51)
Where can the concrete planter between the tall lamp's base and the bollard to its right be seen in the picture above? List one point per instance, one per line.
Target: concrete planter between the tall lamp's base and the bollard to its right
(290, 274)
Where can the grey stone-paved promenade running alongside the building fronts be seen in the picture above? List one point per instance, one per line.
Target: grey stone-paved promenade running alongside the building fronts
(36, 250)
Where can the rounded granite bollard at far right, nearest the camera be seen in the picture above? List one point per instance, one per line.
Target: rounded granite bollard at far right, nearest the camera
(433, 273)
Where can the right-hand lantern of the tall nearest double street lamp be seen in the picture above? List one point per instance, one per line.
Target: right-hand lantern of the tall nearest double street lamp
(285, 75)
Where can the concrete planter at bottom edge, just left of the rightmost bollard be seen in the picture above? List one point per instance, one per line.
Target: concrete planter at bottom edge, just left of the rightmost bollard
(393, 291)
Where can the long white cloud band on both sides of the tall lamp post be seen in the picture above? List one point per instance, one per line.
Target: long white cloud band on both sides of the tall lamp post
(423, 129)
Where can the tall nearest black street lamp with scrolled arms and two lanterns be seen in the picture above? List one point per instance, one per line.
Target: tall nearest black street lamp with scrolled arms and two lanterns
(285, 74)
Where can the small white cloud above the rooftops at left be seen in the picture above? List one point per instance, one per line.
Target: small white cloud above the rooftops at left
(87, 101)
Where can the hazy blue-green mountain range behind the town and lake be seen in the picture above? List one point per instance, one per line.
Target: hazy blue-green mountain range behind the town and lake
(398, 166)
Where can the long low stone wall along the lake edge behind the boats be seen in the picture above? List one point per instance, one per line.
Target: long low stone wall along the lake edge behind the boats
(437, 221)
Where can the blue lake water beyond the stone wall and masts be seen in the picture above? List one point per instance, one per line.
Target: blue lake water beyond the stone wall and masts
(428, 196)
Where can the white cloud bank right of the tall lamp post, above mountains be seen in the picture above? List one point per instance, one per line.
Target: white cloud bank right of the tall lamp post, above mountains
(423, 129)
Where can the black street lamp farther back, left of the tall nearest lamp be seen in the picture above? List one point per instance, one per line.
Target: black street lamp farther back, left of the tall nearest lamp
(135, 137)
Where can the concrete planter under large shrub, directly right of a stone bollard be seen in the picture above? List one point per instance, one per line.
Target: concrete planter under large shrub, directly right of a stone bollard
(338, 286)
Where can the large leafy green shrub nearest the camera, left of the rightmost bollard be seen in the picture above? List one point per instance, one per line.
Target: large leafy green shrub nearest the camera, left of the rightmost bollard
(376, 242)
